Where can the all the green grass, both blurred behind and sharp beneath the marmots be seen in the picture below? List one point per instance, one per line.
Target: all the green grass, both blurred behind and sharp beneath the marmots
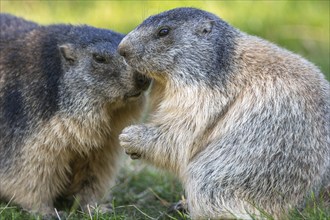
(141, 191)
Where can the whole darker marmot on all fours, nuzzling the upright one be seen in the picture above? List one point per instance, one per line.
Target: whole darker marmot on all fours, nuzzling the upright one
(65, 94)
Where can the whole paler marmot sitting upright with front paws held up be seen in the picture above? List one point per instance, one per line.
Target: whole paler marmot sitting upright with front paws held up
(243, 123)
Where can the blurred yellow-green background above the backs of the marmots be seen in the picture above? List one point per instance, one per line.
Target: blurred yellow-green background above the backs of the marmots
(300, 26)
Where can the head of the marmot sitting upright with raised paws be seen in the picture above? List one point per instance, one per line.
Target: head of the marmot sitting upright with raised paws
(184, 44)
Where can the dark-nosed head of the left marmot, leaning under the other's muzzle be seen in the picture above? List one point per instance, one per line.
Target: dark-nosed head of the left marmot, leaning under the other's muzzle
(94, 73)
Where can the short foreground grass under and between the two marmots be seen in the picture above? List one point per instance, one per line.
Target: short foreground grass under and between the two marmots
(143, 192)
